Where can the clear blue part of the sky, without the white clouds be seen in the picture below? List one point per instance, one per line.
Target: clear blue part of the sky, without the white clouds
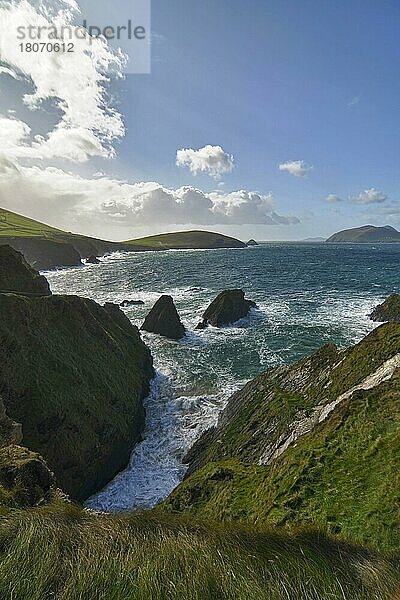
(270, 81)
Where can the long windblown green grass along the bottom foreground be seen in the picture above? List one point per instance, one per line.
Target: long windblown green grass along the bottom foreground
(67, 554)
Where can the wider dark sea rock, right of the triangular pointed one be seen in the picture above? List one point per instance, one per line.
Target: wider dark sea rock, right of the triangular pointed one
(228, 307)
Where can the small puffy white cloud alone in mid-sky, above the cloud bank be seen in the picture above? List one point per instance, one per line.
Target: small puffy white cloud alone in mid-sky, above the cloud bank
(210, 159)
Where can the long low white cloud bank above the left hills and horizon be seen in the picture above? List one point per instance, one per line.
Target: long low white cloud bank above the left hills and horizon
(40, 192)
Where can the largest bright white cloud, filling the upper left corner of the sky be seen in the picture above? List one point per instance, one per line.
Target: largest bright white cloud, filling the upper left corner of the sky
(76, 82)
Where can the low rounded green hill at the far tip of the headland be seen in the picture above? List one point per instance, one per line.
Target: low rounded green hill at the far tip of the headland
(188, 240)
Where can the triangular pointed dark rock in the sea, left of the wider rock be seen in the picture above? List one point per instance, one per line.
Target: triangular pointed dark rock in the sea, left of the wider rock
(164, 319)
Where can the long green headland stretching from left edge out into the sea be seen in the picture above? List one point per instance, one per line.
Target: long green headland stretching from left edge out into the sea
(46, 247)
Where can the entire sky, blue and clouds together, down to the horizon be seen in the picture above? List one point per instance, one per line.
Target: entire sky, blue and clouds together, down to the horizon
(265, 119)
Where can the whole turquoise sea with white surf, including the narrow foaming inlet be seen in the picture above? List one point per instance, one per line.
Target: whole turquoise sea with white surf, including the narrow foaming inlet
(307, 294)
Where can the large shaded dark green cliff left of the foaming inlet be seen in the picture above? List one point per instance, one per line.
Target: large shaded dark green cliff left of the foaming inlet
(74, 374)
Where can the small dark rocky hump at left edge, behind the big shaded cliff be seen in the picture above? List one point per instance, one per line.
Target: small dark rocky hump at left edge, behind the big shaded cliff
(17, 276)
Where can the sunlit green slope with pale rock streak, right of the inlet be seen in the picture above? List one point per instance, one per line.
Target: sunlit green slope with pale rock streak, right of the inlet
(341, 474)
